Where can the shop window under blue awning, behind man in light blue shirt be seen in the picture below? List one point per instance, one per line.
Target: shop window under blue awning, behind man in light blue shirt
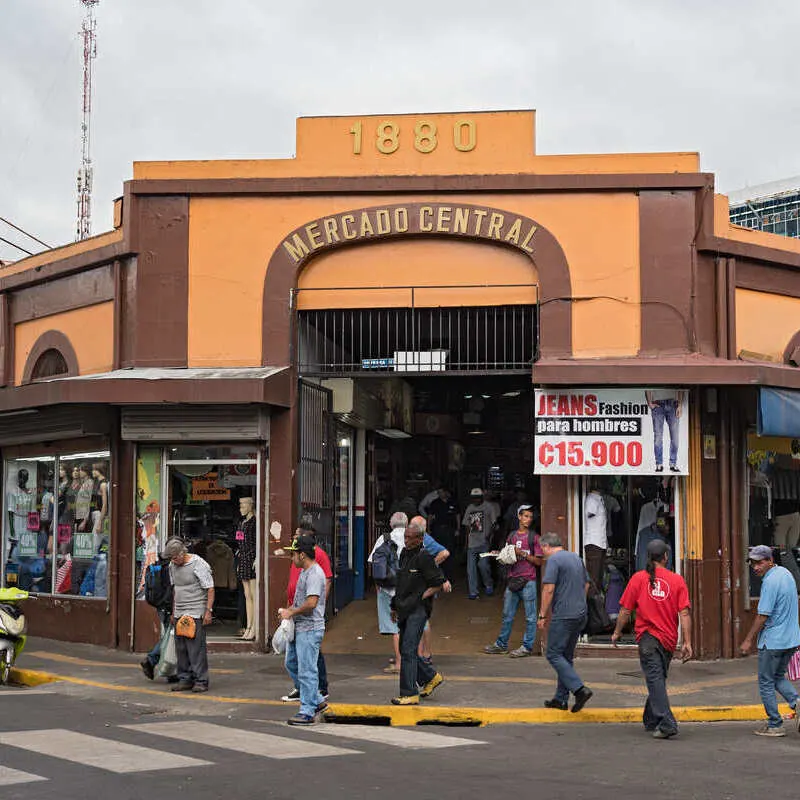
(773, 501)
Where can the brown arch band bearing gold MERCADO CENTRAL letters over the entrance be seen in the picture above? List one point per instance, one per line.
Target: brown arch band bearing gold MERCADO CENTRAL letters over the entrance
(483, 224)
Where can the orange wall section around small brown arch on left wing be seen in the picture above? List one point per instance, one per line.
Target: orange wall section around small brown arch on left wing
(91, 331)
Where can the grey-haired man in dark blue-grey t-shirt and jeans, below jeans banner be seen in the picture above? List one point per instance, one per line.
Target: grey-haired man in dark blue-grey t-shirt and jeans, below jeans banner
(563, 612)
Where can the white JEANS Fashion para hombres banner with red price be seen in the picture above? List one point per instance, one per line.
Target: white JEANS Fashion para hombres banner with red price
(611, 431)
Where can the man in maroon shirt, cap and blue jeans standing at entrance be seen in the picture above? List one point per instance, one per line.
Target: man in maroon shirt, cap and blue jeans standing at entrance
(521, 586)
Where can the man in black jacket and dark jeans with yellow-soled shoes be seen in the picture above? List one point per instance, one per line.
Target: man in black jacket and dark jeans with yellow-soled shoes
(418, 580)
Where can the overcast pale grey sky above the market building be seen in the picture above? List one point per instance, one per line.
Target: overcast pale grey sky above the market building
(181, 79)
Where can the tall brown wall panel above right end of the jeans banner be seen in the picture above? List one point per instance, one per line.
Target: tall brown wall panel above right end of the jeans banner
(666, 233)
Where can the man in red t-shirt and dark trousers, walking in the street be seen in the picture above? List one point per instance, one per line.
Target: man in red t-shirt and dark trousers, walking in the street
(661, 600)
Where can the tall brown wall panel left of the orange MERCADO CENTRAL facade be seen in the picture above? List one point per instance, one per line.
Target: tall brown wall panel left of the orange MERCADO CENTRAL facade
(162, 291)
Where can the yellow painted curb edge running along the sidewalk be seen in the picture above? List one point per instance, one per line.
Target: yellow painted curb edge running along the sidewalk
(422, 714)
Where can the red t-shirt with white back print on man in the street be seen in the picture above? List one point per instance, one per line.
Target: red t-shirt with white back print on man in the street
(657, 607)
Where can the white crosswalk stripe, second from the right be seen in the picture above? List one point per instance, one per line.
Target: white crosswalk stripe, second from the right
(255, 744)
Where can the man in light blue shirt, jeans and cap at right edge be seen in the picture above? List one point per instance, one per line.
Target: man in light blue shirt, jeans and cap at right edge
(778, 633)
